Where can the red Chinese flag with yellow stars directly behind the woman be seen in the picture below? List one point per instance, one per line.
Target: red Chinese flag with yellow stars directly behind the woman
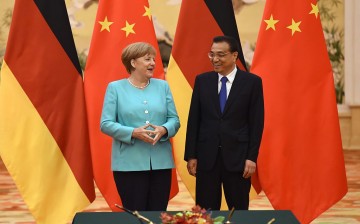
(118, 23)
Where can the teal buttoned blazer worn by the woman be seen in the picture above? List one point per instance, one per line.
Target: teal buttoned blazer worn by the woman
(126, 108)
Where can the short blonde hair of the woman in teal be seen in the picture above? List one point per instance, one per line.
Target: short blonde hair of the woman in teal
(133, 51)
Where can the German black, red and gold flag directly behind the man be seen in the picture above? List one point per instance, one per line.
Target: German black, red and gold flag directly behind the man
(199, 22)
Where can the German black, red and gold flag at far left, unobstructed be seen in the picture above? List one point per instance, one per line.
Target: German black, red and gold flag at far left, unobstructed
(44, 139)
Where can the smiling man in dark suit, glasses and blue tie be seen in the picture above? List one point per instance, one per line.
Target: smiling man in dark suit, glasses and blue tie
(225, 125)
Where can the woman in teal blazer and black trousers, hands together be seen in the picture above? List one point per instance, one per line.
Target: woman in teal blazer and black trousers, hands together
(140, 115)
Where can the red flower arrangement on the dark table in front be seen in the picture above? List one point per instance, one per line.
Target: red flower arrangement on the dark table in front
(197, 215)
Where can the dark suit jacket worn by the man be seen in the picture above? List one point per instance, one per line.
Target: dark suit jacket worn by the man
(237, 131)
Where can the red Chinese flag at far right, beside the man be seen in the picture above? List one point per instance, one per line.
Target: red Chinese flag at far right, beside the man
(300, 165)
